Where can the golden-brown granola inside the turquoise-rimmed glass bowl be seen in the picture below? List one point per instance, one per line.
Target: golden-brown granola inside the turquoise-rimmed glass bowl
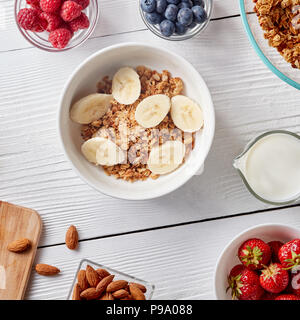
(279, 20)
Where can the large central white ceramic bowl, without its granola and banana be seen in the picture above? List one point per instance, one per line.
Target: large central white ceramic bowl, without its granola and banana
(106, 62)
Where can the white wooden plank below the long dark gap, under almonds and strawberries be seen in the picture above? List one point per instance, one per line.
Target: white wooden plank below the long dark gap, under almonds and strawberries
(179, 261)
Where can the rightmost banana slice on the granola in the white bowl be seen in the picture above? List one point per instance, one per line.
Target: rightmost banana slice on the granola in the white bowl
(186, 114)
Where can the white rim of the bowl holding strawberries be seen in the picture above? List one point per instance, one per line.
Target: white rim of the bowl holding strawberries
(215, 284)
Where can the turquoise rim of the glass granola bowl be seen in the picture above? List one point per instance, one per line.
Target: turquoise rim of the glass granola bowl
(257, 49)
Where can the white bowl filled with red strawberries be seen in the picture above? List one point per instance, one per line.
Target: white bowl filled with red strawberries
(261, 263)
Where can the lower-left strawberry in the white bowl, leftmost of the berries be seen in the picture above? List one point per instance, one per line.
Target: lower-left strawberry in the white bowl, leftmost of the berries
(244, 283)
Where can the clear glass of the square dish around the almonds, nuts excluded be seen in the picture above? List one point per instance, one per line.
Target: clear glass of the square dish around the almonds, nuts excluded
(118, 276)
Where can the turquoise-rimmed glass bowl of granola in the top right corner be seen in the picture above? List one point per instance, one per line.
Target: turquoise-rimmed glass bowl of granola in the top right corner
(273, 28)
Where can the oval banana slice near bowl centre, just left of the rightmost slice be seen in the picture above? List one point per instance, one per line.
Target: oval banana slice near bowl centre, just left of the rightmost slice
(152, 110)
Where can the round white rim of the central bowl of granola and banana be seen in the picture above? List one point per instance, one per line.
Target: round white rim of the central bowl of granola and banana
(60, 129)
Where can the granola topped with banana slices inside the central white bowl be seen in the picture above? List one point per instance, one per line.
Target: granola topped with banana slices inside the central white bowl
(142, 126)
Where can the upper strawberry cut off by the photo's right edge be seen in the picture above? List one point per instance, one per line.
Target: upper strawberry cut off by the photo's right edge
(289, 254)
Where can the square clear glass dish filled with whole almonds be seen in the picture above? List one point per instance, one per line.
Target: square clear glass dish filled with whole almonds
(97, 282)
